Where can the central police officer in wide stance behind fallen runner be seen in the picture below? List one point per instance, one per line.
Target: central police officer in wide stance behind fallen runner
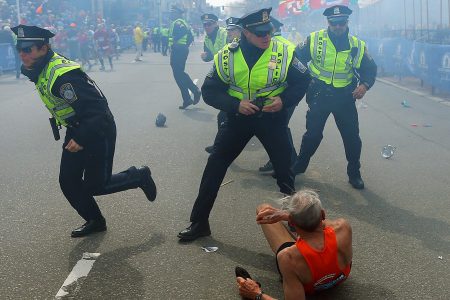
(254, 81)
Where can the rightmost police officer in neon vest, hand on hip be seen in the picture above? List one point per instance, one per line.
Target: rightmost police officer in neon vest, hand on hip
(342, 72)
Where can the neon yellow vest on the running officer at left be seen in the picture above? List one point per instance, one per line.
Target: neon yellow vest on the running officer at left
(58, 107)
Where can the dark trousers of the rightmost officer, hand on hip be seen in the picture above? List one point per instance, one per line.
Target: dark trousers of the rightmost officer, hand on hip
(343, 108)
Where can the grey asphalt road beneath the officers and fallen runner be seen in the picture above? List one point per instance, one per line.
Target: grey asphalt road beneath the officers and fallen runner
(401, 221)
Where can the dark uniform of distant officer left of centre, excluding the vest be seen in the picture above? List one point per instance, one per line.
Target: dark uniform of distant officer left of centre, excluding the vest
(178, 56)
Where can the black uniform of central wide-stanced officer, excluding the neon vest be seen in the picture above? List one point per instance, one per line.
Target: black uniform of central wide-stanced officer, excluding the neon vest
(269, 128)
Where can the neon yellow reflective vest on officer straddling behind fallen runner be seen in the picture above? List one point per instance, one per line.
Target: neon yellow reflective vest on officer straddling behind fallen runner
(266, 78)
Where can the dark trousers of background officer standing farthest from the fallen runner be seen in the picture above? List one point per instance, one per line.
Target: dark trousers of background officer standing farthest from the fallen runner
(178, 58)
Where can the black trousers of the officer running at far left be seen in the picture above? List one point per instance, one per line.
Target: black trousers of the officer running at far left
(88, 173)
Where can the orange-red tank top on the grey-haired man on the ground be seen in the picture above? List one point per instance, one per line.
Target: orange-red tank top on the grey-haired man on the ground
(323, 264)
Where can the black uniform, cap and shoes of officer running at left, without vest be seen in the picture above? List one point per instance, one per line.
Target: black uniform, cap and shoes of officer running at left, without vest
(88, 172)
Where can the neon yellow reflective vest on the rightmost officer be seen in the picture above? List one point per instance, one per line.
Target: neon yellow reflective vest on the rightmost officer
(330, 66)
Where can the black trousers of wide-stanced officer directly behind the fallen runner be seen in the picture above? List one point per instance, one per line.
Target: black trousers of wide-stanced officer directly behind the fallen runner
(231, 139)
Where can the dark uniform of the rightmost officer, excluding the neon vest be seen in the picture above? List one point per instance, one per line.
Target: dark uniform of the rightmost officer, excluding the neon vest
(325, 99)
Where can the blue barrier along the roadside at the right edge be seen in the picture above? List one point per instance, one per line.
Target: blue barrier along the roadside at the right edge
(401, 57)
